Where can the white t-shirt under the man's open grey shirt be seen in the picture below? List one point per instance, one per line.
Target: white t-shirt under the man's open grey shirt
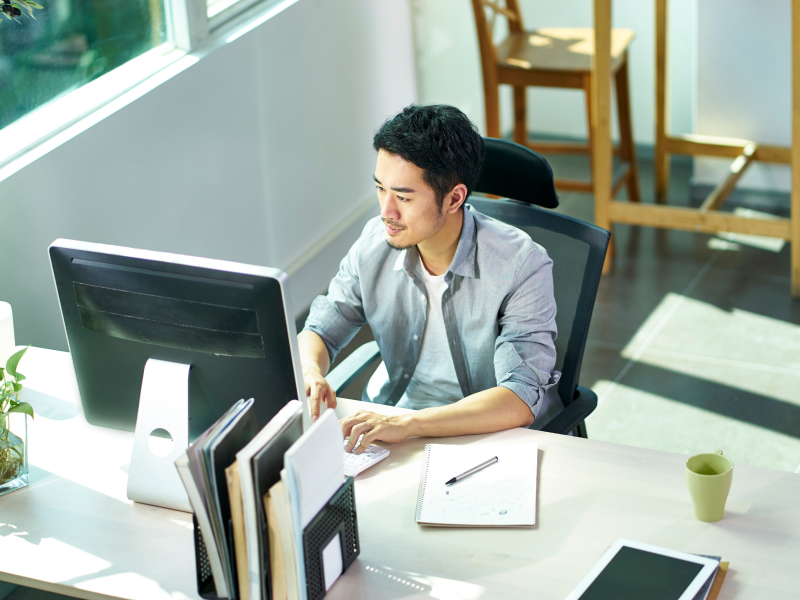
(434, 382)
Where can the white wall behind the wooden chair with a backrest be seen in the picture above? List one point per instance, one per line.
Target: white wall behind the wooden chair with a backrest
(449, 71)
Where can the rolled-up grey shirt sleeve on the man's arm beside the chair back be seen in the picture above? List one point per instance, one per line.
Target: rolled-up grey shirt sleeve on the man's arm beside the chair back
(525, 353)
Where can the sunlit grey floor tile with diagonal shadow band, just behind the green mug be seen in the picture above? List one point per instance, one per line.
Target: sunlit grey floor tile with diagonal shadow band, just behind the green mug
(684, 407)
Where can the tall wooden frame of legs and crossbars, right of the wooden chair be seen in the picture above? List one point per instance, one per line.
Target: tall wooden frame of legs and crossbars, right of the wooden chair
(707, 218)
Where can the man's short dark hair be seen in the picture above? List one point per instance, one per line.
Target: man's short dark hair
(440, 140)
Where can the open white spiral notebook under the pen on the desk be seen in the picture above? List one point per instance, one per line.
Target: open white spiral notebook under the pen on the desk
(501, 495)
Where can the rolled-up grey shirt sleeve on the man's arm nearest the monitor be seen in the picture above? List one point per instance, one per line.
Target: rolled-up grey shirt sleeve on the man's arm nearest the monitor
(338, 316)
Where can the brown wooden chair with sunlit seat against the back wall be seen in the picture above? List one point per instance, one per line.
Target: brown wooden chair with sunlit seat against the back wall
(553, 57)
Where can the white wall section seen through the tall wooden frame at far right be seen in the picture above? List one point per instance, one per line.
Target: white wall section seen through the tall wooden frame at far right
(744, 83)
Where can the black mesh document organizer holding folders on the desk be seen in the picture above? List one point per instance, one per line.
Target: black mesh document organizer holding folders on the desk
(337, 516)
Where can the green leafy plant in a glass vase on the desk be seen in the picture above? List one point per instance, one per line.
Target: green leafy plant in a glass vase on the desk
(13, 427)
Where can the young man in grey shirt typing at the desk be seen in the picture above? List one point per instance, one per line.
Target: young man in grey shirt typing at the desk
(461, 305)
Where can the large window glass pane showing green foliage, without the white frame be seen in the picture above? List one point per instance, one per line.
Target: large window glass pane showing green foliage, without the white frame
(70, 43)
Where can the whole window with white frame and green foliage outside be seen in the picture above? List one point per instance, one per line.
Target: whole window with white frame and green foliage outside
(77, 56)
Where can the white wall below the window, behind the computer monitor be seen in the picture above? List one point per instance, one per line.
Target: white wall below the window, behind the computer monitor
(260, 153)
